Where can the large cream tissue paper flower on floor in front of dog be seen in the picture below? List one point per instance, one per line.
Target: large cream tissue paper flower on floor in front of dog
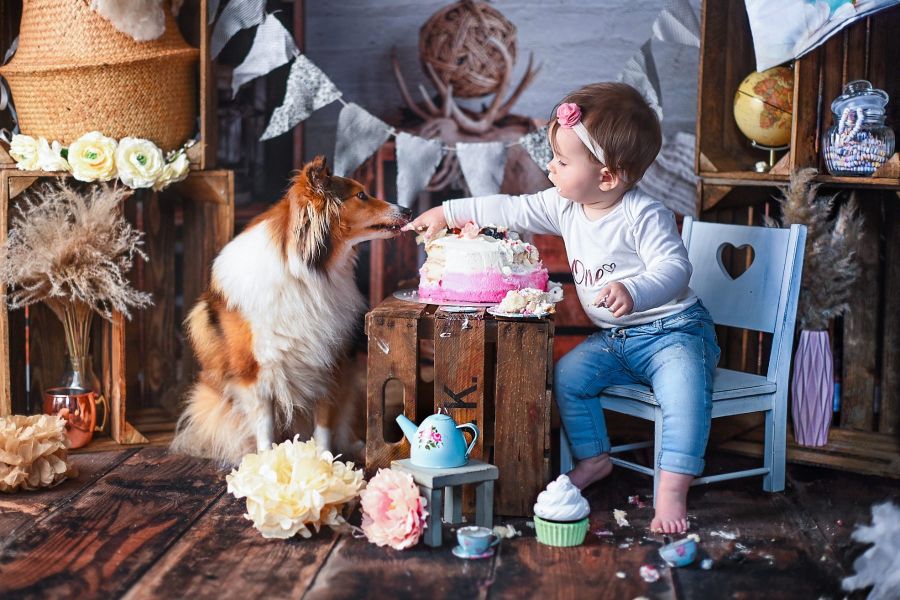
(294, 485)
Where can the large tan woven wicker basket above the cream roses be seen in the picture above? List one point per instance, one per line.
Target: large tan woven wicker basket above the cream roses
(74, 72)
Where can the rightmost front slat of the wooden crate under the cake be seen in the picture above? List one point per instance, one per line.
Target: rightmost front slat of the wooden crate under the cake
(521, 415)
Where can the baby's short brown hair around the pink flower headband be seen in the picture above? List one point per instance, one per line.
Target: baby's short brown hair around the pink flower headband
(622, 123)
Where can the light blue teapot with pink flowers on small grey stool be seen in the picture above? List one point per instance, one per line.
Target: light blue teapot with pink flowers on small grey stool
(438, 443)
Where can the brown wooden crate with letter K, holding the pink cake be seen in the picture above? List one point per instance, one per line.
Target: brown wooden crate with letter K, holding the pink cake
(491, 371)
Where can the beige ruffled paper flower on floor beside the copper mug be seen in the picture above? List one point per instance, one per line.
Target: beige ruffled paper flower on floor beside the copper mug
(33, 452)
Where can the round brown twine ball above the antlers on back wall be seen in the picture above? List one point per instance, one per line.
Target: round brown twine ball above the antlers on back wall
(455, 42)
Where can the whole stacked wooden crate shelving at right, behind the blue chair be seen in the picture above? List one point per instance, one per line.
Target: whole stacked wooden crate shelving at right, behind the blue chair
(865, 436)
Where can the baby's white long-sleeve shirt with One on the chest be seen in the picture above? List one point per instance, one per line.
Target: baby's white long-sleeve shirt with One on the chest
(636, 244)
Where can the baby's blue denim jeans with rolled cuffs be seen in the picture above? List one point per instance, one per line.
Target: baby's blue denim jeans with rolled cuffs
(676, 356)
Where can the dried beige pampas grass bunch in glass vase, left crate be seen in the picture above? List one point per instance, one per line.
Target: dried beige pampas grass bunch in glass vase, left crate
(73, 250)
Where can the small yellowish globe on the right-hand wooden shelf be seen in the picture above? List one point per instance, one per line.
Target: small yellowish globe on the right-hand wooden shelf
(764, 106)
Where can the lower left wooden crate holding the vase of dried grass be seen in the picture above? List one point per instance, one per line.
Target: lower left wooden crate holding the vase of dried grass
(143, 363)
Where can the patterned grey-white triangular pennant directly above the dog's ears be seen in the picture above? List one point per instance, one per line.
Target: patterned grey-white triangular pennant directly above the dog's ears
(308, 90)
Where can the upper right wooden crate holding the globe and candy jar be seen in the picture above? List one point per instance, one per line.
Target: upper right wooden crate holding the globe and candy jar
(868, 49)
